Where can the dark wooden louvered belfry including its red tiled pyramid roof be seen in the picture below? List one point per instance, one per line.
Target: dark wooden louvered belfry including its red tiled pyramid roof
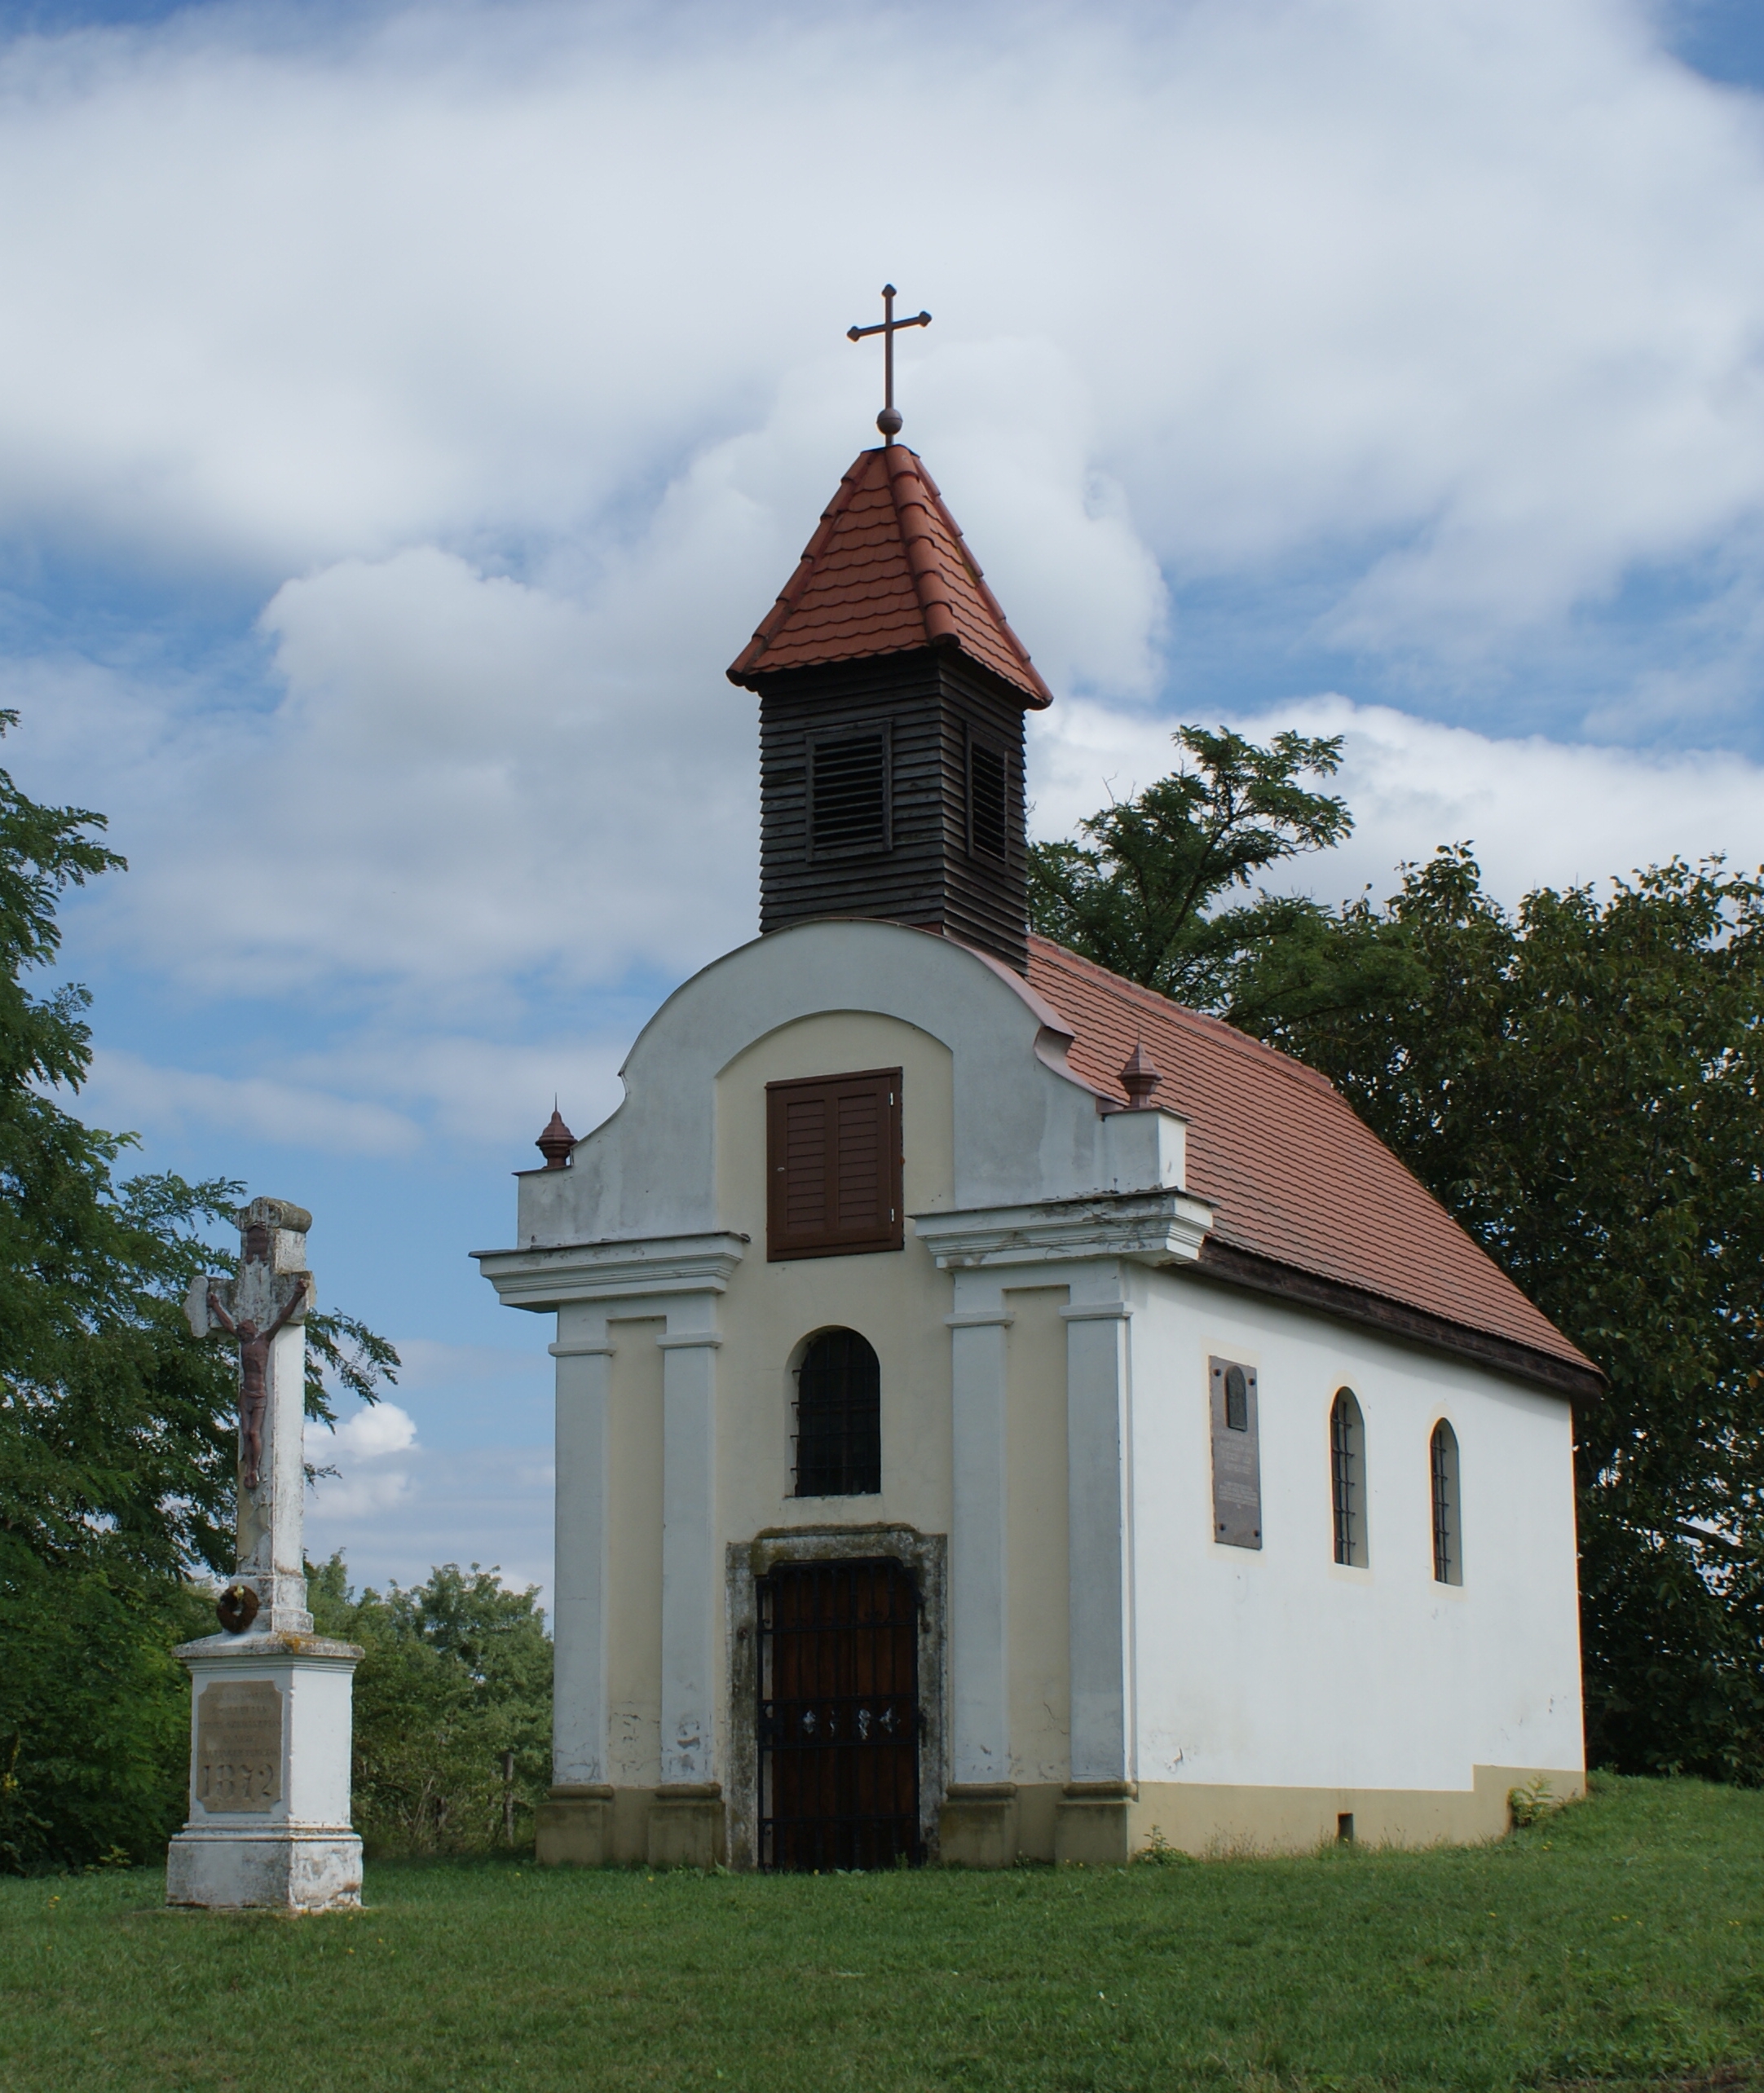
(892, 698)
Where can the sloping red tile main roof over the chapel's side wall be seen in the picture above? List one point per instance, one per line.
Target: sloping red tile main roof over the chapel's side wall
(1292, 1173)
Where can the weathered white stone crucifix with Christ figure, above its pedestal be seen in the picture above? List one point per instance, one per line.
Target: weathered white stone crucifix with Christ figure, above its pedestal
(265, 1313)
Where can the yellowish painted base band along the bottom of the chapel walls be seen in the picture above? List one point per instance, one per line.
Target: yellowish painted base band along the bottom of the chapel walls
(997, 1826)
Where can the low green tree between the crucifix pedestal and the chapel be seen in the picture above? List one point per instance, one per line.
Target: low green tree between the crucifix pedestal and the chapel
(455, 1675)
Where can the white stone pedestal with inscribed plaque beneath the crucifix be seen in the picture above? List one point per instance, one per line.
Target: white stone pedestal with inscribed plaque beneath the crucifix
(269, 1776)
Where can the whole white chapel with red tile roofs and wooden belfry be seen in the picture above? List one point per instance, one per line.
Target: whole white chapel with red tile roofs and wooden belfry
(999, 1412)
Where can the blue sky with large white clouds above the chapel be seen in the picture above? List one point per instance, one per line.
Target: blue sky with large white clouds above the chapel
(407, 413)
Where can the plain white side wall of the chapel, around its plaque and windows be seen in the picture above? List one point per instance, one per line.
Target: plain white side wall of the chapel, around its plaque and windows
(1277, 1667)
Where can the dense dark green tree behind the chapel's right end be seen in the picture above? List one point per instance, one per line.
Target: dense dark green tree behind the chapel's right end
(1583, 1085)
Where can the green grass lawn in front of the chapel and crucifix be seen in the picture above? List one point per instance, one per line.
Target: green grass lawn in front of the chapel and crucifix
(1616, 1945)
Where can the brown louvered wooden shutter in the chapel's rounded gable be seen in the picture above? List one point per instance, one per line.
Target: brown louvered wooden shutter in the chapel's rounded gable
(834, 1165)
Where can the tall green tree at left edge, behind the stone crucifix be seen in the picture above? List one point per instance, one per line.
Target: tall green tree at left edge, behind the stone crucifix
(116, 1426)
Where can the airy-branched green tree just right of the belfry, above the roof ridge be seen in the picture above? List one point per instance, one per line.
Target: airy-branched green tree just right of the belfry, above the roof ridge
(1139, 895)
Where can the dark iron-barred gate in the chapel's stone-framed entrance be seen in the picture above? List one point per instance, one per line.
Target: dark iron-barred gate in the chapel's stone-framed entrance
(838, 1715)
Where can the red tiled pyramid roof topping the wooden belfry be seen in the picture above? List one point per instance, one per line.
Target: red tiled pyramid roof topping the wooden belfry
(888, 572)
